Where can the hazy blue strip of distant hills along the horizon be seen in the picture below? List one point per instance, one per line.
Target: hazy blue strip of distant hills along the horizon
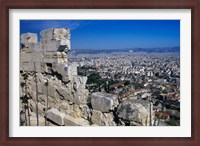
(148, 50)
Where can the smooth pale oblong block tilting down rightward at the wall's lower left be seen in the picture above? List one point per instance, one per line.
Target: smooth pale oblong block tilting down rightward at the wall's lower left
(55, 116)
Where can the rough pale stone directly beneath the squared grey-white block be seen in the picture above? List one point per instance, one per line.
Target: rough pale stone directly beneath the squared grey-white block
(102, 119)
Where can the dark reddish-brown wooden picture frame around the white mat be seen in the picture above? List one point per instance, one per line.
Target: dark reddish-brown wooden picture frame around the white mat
(6, 5)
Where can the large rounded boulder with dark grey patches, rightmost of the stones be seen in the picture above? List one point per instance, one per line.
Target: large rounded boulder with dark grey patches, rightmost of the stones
(134, 111)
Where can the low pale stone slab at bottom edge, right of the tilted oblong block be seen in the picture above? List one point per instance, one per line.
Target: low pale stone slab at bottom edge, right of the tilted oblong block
(70, 121)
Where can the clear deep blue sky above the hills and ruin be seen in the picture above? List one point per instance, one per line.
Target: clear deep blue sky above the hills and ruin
(112, 34)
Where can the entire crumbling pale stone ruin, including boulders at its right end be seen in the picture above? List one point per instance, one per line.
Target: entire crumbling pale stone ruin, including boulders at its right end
(56, 95)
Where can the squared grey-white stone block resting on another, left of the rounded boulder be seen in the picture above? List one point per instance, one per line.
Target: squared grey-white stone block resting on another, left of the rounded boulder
(103, 102)
